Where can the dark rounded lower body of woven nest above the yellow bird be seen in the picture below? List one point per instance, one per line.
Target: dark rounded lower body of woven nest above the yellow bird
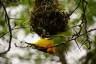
(49, 21)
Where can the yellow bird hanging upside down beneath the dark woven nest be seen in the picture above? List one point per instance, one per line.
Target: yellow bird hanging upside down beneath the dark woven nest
(45, 46)
